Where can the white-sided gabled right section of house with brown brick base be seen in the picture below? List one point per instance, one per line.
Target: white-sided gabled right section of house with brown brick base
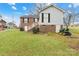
(51, 19)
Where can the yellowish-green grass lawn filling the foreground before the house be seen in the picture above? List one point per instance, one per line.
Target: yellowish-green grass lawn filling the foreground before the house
(13, 42)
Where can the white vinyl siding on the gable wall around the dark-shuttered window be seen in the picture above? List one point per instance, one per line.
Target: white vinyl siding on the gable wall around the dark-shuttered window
(56, 17)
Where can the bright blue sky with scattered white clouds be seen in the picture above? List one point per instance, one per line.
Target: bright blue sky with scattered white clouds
(12, 11)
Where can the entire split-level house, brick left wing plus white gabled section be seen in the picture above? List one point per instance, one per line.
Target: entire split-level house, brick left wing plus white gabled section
(50, 20)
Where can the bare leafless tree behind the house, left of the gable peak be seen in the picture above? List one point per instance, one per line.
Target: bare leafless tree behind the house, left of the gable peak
(39, 7)
